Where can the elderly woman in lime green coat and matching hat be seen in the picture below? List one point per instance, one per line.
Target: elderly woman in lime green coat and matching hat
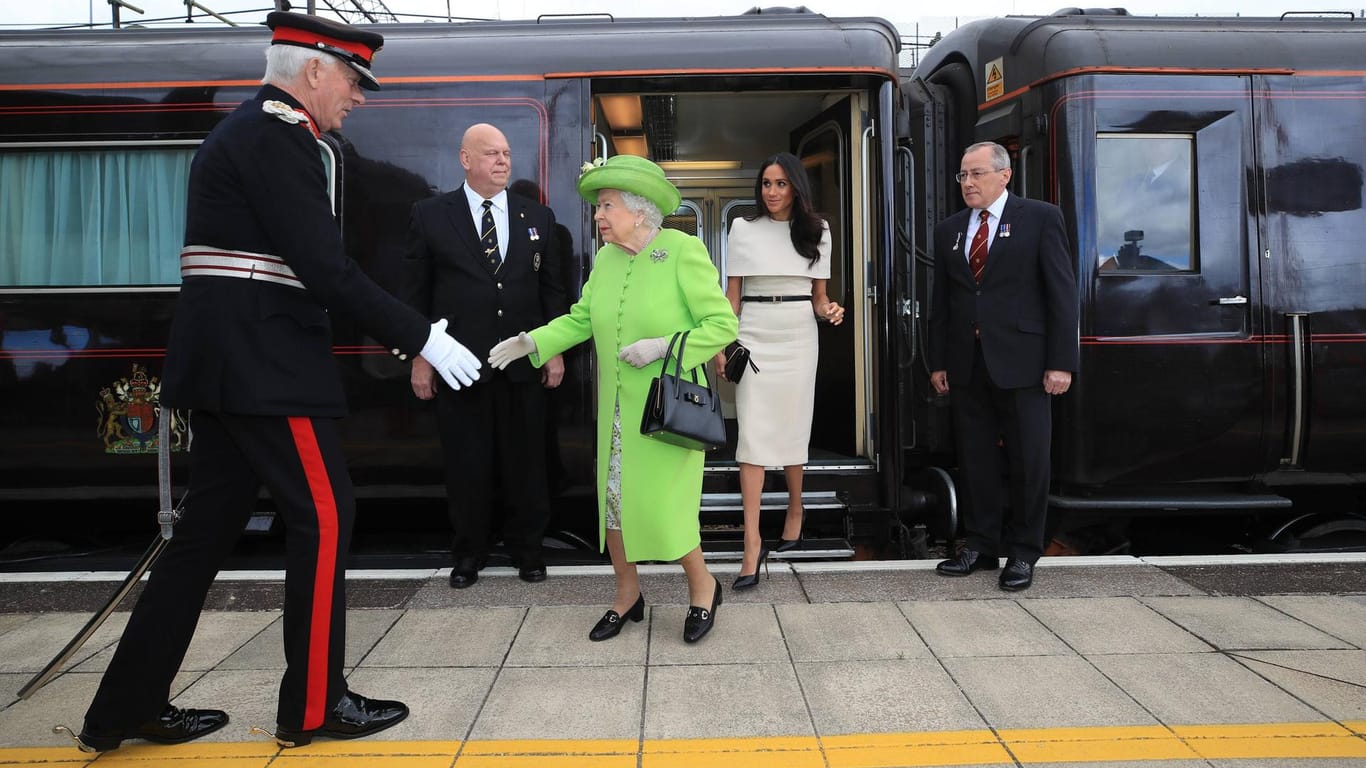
(647, 285)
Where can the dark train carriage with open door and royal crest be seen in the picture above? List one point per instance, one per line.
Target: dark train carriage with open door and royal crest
(98, 131)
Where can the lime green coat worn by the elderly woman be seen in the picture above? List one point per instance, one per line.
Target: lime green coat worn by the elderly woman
(670, 286)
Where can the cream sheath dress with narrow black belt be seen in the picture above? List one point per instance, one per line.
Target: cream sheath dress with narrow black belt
(774, 405)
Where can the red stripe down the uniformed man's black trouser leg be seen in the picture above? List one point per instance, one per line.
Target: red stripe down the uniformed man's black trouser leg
(320, 625)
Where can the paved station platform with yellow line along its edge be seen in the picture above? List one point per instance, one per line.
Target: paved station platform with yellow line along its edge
(1255, 662)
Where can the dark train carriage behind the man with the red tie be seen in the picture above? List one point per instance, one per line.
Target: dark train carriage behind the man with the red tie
(1211, 173)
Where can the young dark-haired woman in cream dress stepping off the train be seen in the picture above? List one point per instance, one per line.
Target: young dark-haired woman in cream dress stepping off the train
(777, 267)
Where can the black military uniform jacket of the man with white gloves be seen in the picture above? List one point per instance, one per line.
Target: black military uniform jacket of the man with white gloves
(242, 346)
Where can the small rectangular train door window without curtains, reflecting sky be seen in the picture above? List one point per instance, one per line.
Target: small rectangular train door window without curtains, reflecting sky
(1145, 208)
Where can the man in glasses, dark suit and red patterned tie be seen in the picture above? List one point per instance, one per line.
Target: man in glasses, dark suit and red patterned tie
(1003, 334)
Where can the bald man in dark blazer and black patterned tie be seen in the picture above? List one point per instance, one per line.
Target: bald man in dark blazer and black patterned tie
(487, 260)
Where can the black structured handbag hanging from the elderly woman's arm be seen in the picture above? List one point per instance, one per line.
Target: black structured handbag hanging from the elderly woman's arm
(680, 412)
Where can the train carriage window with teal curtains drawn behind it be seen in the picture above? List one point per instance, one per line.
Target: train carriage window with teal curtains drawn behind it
(92, 217)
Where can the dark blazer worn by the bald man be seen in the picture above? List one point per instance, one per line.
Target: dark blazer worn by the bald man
(446, 275)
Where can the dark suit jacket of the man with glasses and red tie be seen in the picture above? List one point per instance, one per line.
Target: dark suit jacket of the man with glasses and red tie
(1027, 305)
